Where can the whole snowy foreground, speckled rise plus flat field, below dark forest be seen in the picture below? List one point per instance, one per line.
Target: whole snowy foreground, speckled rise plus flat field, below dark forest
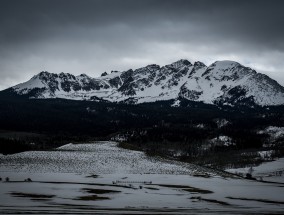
(102, 178)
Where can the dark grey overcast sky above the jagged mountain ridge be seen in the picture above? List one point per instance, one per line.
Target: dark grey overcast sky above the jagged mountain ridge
(93, 36)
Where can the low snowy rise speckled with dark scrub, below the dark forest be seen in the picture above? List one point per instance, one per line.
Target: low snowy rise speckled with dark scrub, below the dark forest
(97, 158)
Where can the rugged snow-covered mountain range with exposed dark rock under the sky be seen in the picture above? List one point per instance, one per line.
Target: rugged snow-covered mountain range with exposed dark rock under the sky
(223, 82)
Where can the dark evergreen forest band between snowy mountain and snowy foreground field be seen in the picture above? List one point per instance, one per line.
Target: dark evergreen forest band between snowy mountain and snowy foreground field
(156, 128)
